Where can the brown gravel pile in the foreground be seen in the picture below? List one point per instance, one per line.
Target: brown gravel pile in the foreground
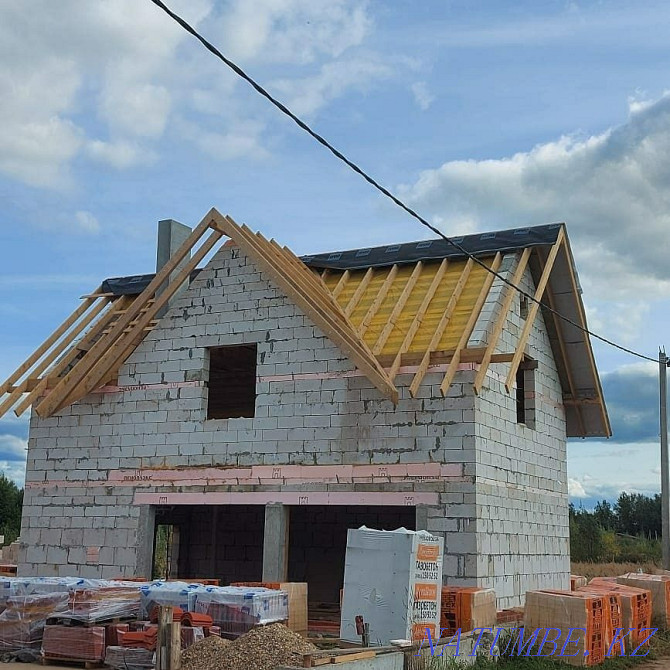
(263, 648)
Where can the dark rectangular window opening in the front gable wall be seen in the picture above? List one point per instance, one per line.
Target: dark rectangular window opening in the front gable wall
(232, 382)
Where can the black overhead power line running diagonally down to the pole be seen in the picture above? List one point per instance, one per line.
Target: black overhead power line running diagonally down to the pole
(373, 182)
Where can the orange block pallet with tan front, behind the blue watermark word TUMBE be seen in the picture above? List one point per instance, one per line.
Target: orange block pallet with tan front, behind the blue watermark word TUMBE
(566, 610)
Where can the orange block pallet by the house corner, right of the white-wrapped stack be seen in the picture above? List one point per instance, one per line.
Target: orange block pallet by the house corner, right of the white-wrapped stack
(467, 608)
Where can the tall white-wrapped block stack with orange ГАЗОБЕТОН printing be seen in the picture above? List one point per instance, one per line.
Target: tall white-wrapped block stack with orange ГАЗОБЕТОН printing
(393, 579)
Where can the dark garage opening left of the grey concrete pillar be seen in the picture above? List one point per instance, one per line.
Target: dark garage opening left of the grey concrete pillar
(223, 542)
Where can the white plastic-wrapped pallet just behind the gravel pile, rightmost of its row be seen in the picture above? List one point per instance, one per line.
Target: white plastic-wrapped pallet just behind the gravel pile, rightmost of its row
(237, 609)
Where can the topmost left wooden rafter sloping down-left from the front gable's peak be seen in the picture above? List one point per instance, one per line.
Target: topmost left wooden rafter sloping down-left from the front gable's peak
(78, 374)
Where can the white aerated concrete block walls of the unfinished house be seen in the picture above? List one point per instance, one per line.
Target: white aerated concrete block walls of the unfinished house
(311, 409)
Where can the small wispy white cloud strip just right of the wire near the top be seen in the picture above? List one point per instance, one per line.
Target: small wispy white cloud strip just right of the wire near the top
(306, 96)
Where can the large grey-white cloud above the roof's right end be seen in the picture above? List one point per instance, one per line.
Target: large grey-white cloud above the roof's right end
(613, 190)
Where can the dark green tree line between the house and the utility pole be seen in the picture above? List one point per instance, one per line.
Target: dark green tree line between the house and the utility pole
(628, 530)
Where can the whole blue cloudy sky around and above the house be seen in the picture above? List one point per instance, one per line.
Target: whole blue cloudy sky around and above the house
(483, 115)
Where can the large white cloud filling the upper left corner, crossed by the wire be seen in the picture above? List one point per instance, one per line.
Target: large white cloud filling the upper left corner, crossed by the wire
(121, 61)
